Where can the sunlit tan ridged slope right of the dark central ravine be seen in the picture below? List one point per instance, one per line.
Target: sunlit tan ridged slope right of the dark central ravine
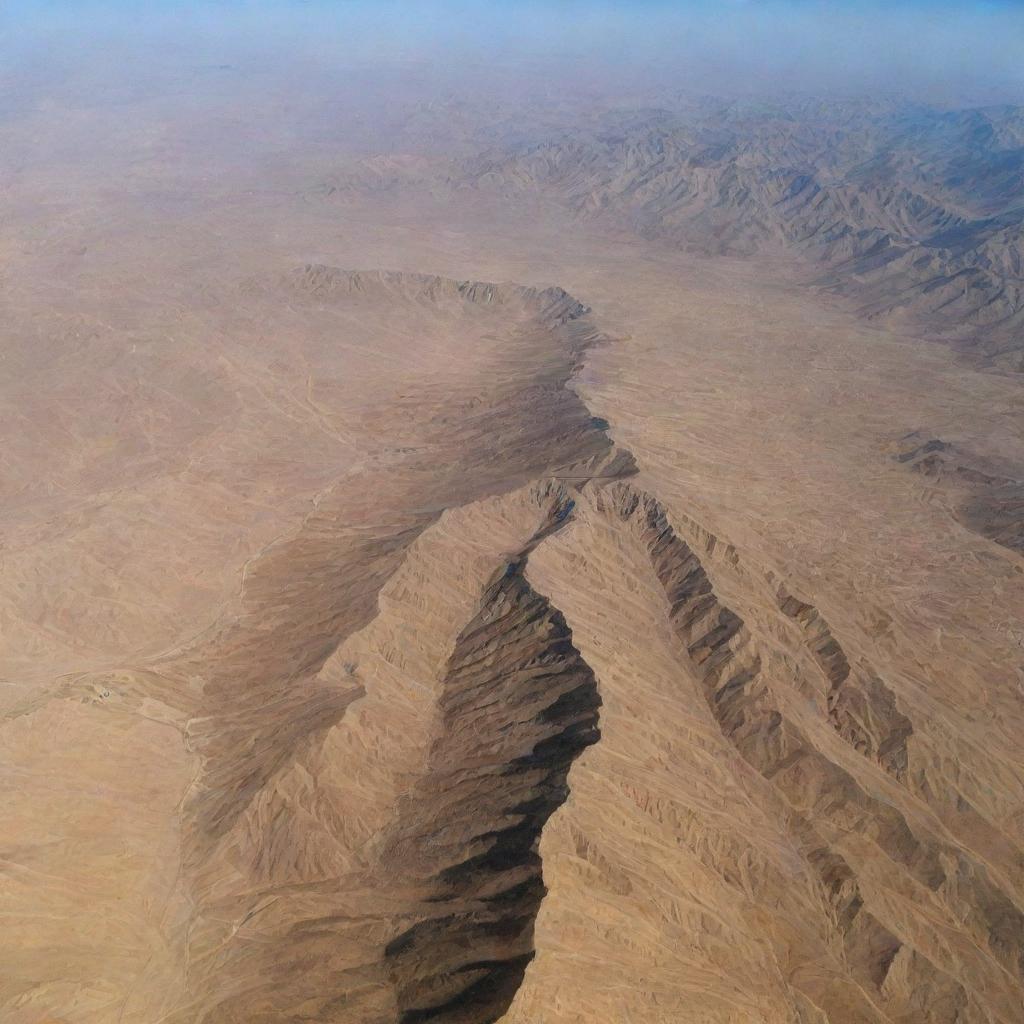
(872, 855)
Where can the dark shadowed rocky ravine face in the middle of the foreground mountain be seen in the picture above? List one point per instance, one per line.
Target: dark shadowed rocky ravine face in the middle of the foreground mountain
(520, 705)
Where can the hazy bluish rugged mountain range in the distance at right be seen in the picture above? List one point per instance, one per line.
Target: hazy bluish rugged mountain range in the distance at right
(914, 214)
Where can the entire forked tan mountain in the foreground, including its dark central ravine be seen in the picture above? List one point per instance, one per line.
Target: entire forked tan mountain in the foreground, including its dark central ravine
(425, 858)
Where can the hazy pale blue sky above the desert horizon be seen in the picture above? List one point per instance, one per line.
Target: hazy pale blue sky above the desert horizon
(958, 53)
